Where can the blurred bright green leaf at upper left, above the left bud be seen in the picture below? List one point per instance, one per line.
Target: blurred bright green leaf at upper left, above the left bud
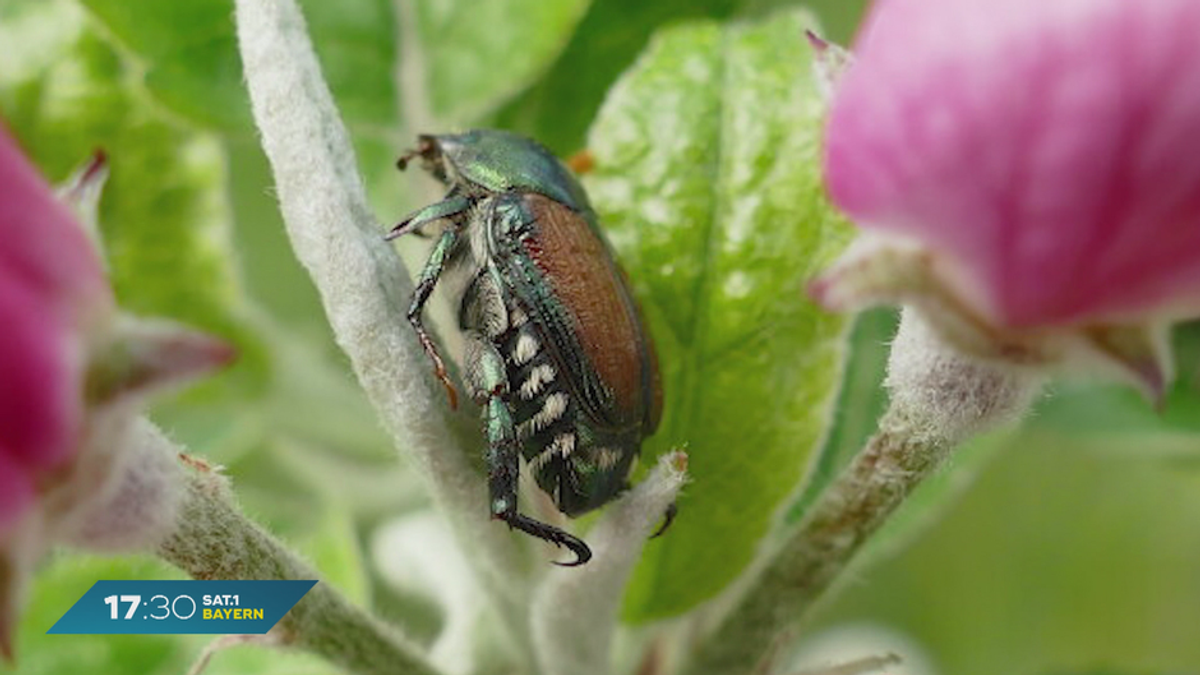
(165, 218)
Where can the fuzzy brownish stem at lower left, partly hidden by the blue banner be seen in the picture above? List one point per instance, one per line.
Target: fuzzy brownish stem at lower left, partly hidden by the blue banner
(217, 541)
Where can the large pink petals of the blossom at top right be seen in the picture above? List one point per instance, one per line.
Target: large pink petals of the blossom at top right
(1046, 153)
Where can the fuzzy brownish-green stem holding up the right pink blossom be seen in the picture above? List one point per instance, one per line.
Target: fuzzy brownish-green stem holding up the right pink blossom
(939, 401)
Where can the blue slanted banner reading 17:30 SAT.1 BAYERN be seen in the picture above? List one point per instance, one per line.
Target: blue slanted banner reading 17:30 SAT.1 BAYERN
(182, 607)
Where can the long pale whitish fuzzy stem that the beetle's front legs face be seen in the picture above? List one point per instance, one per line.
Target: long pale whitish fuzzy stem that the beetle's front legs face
(364, 286)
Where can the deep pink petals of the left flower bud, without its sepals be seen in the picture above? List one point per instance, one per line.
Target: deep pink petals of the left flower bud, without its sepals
(52, 295)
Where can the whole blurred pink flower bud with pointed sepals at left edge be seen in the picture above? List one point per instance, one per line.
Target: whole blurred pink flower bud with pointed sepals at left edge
(76, 465)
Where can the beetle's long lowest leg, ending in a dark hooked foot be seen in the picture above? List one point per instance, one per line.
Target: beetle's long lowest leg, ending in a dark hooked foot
(503, 456)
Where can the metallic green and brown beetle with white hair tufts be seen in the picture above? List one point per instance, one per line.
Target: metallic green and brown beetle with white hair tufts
(556, 353)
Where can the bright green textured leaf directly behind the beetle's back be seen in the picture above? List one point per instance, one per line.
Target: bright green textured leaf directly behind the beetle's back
(707, 178)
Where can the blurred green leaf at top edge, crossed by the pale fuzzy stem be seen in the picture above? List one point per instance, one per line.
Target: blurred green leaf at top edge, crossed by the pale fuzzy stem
(471, 57)
